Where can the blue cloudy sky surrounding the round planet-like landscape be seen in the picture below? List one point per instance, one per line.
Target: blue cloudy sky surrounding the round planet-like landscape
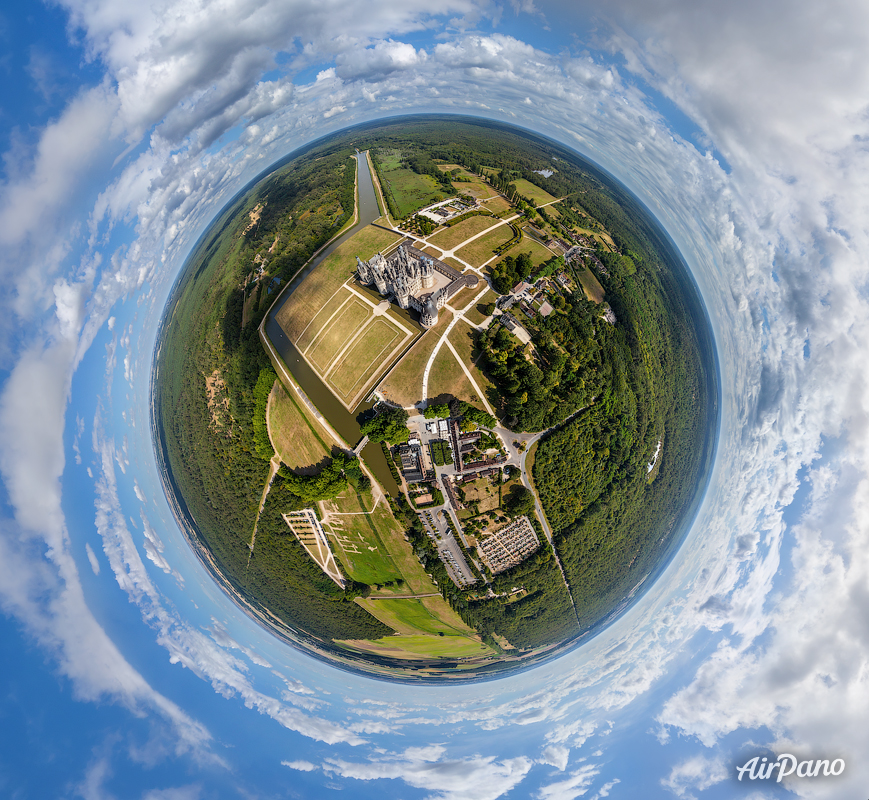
(124, 128)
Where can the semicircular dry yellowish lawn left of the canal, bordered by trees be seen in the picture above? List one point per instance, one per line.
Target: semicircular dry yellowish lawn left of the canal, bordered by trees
(299, 440)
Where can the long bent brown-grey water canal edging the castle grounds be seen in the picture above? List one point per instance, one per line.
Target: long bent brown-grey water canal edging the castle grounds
(343, 421)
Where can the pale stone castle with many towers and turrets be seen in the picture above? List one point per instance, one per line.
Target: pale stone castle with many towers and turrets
(406, 274)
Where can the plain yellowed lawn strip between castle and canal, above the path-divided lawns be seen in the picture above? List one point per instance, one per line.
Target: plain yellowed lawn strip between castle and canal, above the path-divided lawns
(321, 286)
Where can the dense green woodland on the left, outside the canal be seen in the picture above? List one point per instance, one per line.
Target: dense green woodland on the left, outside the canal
(218, 455)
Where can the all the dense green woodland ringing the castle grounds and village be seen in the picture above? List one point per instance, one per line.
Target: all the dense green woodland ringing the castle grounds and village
(638, 381)
